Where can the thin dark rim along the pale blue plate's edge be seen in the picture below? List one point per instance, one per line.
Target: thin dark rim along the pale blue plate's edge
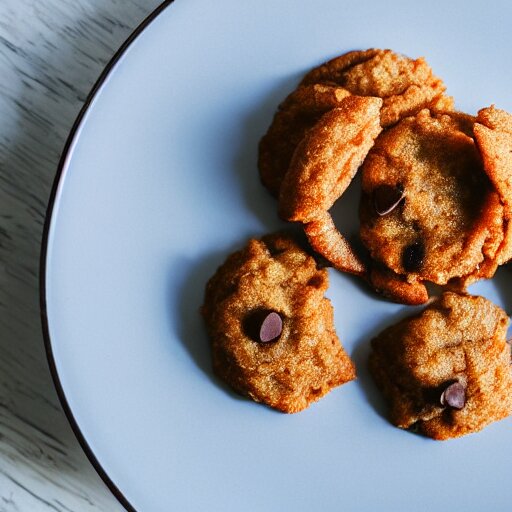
(44, 250)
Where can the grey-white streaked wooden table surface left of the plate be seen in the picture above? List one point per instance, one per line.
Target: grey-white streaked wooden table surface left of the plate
(51, 53)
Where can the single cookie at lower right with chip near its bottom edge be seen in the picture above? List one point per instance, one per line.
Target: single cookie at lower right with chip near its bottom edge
(446, 372)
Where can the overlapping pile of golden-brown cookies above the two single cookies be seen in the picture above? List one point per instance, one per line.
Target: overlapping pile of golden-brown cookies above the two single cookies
(437, 184)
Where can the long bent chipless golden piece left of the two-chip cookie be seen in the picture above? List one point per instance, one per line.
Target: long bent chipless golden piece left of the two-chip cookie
(323, 165)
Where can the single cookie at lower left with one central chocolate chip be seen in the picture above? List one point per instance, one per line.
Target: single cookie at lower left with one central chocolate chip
(271, 328)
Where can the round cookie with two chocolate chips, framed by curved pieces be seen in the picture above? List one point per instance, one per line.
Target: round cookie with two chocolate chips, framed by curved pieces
(429, 211)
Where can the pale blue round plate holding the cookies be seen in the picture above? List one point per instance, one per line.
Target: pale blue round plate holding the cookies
(158, 185)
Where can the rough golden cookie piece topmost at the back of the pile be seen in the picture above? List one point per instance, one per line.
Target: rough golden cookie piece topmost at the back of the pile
(405, 85)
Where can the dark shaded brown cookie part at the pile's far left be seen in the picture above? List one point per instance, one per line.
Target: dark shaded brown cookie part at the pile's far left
(294, 117)
